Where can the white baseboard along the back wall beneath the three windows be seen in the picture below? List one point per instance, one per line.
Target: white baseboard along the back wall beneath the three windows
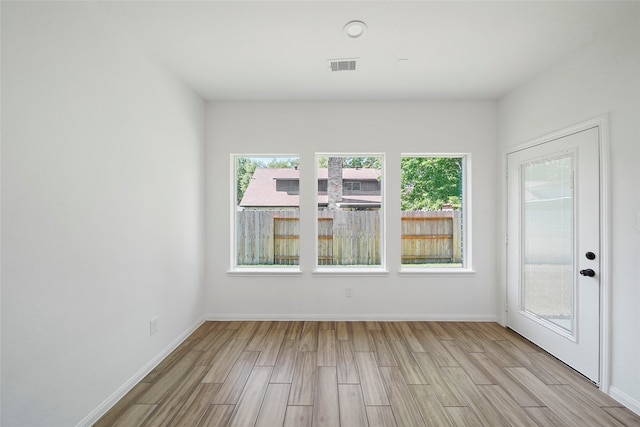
(359, 317)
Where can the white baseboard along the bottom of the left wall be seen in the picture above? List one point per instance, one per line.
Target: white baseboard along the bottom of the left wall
(137, 377)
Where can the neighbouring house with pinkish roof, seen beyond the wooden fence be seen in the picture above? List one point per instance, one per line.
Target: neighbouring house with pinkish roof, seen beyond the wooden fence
(280, 189)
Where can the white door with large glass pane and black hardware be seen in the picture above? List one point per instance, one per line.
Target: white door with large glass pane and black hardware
(553, 292)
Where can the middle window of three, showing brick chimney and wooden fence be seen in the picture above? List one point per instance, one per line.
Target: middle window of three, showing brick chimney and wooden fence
(350, 231)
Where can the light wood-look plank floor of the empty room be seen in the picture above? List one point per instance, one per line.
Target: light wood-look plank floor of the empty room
(363, 374)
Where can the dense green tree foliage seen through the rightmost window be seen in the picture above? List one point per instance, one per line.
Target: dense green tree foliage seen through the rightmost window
(430, 182)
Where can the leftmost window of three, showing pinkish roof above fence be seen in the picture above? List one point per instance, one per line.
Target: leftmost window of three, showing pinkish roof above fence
(266, 212)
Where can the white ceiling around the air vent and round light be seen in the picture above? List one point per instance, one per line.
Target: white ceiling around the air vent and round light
(413, 50)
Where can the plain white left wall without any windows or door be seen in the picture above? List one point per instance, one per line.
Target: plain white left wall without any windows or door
(102, 187)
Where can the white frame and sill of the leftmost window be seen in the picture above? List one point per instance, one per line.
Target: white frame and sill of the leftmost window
(236, 269)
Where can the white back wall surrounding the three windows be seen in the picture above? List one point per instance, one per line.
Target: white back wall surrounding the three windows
(389, 127)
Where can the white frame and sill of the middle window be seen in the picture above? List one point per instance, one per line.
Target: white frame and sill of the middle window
(359, 270)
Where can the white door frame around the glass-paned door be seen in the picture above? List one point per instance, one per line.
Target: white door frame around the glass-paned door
(602, 123)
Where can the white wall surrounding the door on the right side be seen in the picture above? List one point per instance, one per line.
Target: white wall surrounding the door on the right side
(602, 79)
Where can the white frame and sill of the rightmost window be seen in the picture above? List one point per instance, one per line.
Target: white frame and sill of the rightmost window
(467, 264)
